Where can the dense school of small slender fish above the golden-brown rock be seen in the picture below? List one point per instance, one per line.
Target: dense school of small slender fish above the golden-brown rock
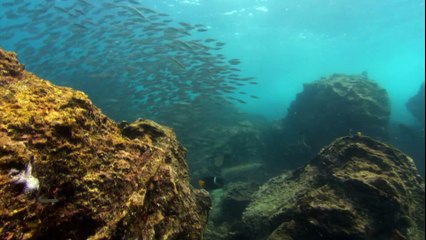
(131, 60)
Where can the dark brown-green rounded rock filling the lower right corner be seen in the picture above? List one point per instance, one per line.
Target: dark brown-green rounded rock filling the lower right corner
(356, 188)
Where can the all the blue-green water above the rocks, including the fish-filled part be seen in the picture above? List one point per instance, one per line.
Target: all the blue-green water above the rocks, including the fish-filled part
(132, 65)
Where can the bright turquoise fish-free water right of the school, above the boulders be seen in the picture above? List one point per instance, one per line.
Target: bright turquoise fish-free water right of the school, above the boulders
(285, 43)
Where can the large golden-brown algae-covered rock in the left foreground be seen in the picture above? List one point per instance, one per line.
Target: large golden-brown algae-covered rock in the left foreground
(94, 183)
